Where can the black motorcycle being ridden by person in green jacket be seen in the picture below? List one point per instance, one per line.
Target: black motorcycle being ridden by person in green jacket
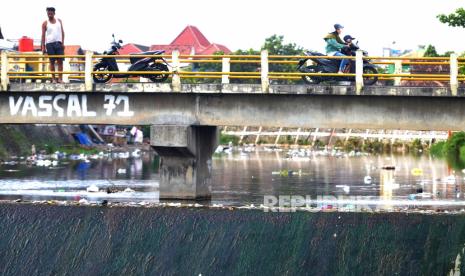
(323, 65)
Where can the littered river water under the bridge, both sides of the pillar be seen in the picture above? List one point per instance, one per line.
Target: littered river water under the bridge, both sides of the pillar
(386, 182)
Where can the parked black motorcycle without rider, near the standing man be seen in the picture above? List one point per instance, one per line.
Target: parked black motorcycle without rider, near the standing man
(138, 63)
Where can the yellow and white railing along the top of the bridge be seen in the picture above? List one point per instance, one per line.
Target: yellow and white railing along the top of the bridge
(17, 66)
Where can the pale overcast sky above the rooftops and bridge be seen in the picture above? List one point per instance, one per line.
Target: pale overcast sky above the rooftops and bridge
(241, 24)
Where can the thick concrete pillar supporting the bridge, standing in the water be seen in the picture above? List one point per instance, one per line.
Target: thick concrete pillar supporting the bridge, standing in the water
(186, 159)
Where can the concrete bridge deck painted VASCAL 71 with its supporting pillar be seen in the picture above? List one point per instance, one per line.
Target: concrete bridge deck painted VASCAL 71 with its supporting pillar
(184, 124)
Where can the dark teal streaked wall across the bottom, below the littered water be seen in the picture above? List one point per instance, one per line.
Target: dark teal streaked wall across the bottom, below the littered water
(57, 240)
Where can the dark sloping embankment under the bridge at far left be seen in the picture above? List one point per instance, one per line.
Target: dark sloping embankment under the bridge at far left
(17, 139)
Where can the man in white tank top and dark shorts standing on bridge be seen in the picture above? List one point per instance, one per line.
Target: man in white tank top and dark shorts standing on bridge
(53, 37)
